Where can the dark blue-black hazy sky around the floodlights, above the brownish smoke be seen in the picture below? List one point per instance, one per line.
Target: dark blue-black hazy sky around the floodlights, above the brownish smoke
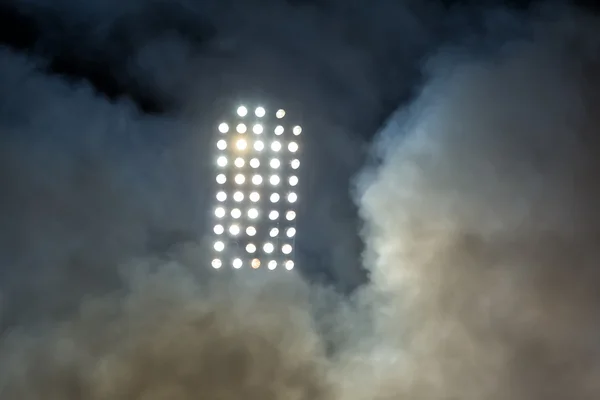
(105, 105)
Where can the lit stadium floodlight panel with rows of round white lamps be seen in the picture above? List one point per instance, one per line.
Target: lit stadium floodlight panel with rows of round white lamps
(255, 199)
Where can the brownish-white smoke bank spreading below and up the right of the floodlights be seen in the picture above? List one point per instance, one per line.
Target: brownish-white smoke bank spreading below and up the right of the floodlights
(482, 245)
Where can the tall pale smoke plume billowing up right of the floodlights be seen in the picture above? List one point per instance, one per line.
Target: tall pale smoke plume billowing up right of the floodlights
(483, 217)
